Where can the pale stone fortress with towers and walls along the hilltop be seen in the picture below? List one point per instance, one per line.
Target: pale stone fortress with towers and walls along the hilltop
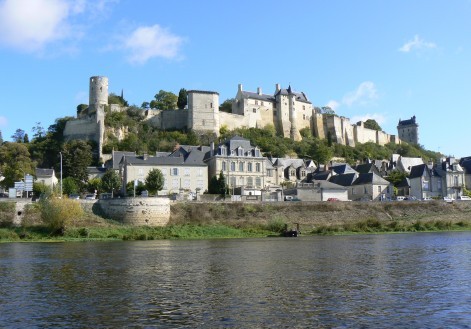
(288, 111)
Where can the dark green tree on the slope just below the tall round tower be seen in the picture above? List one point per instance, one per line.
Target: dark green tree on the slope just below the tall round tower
(77, 156)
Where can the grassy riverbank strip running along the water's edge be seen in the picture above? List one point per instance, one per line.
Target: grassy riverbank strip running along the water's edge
(194, 220)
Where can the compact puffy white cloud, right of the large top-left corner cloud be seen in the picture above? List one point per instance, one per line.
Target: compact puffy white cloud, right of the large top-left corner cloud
(147, 42)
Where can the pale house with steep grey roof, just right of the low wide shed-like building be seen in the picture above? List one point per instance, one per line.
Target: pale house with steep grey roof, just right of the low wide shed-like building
(370, 187)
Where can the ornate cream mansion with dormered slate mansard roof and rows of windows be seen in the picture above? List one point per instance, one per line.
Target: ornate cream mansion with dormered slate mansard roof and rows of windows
(241, 163)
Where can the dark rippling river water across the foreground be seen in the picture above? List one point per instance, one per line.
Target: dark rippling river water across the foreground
(363, 281)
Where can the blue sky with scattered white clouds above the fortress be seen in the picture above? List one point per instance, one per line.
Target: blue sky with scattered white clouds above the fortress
(386, 60)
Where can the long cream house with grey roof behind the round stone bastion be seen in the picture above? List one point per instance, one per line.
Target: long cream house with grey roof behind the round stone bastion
(183, 170)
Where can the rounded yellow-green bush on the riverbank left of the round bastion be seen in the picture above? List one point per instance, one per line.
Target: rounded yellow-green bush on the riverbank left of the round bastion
(58, 214)
